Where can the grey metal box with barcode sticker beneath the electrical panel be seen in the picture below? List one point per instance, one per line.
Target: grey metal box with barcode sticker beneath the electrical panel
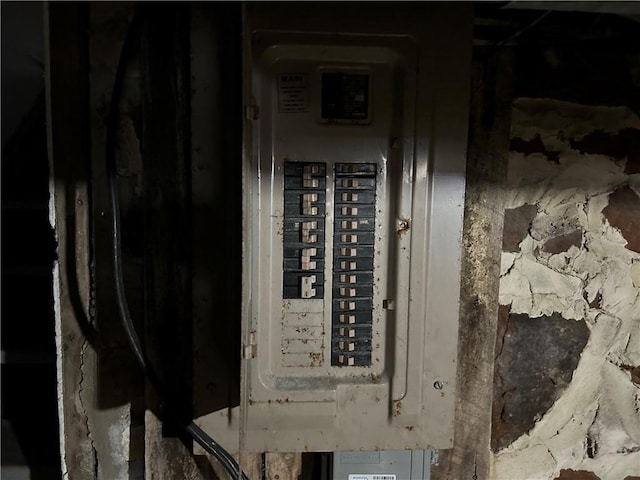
(382, 465)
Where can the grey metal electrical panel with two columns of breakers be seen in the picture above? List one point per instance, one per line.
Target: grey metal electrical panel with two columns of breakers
(353, 195)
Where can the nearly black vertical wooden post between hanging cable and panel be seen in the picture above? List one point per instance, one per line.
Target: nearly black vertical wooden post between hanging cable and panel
(165, 99)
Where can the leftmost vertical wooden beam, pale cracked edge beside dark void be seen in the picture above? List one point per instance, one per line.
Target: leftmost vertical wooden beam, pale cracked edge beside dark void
(66, 89)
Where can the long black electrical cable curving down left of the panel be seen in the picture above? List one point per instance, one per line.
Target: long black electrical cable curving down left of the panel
(204, 440)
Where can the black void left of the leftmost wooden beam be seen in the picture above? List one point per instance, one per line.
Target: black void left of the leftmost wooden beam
(30, 440)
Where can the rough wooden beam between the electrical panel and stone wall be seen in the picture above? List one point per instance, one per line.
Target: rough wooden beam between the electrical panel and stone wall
(482, 238)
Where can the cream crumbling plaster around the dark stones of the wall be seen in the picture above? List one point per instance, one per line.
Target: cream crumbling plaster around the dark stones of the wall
(594, 425)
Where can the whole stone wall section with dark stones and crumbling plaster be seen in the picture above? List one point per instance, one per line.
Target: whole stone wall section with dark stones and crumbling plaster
(567, 379)
